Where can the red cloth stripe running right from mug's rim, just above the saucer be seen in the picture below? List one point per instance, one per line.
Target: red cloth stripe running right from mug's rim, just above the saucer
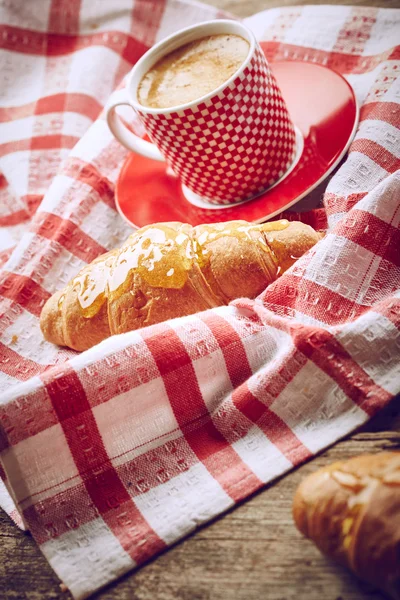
(338, 61)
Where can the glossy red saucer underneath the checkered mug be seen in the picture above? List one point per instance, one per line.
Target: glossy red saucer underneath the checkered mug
(323, 107)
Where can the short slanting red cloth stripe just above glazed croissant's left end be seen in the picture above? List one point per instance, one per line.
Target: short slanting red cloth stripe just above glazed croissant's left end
(69, 235)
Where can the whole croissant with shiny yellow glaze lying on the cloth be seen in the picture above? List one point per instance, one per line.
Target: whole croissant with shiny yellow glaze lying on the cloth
(170, 270)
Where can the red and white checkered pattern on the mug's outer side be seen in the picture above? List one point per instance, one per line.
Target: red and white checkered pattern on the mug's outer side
(233, 145)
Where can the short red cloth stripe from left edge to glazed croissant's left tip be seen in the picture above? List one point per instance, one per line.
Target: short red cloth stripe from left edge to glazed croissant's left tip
(24, 291)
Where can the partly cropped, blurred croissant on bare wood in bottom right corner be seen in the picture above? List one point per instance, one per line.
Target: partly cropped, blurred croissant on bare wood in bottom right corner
(351, 510)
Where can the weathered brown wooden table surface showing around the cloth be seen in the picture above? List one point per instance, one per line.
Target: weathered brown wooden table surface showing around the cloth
(252, 553)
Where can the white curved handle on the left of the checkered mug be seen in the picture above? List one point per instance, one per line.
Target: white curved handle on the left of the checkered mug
(123, 135)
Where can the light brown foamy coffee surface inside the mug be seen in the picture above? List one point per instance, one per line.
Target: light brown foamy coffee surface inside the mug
(192, 71)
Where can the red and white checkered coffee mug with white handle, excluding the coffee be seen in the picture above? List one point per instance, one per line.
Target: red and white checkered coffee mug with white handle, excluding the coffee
(225, 147)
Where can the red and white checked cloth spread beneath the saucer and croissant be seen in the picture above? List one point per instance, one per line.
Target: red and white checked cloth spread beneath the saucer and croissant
(114, 454)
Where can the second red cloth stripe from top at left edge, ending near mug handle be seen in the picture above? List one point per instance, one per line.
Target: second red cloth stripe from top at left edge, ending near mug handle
(78, 103)
